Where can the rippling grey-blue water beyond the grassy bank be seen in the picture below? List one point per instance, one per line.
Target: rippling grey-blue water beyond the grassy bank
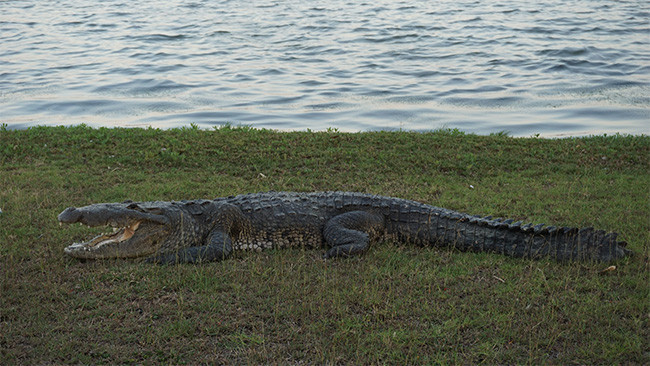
(553, 67)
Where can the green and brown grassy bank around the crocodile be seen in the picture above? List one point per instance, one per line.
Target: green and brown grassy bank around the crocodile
(396, 304)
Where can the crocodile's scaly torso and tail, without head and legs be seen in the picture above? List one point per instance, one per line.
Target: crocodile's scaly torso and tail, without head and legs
(287, 218)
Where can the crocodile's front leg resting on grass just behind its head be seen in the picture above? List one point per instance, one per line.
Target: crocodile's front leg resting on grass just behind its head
(219, 247)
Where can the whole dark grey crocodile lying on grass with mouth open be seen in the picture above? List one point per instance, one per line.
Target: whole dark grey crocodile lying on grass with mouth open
(347, 222)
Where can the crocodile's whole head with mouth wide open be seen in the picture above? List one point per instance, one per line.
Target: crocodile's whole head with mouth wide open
(139, 229)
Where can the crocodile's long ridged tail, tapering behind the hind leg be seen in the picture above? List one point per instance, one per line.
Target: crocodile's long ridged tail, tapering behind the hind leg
(475, 233)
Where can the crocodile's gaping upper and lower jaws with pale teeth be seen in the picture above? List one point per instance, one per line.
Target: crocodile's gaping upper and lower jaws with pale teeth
(135, 233)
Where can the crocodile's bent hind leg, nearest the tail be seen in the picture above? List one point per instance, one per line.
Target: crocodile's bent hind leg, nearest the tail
(350, 233)
